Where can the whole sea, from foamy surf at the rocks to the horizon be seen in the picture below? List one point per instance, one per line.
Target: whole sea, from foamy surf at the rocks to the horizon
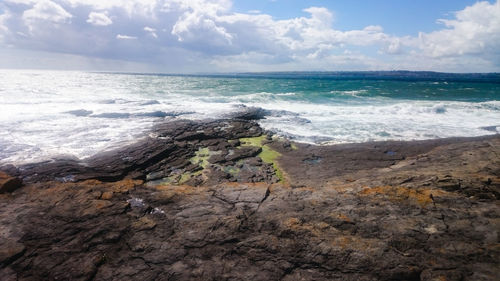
(47, 115)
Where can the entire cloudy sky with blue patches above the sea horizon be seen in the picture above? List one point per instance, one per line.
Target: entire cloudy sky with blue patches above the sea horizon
(181, 36)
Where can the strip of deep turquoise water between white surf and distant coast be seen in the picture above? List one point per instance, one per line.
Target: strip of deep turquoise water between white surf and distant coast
(355, 91)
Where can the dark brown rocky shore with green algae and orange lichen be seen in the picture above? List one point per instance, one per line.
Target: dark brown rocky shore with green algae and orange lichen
(225, 200)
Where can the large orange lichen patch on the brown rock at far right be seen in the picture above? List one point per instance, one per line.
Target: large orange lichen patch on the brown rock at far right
(421, 196)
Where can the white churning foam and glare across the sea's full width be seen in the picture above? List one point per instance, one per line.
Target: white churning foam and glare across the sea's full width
(37, 123)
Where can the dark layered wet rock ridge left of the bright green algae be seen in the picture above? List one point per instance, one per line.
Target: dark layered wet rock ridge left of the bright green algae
(169, 147)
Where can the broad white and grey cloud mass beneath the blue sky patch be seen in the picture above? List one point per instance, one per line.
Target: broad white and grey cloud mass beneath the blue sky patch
(207, 35)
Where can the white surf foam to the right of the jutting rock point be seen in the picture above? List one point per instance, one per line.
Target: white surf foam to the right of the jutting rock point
(402, 120)
